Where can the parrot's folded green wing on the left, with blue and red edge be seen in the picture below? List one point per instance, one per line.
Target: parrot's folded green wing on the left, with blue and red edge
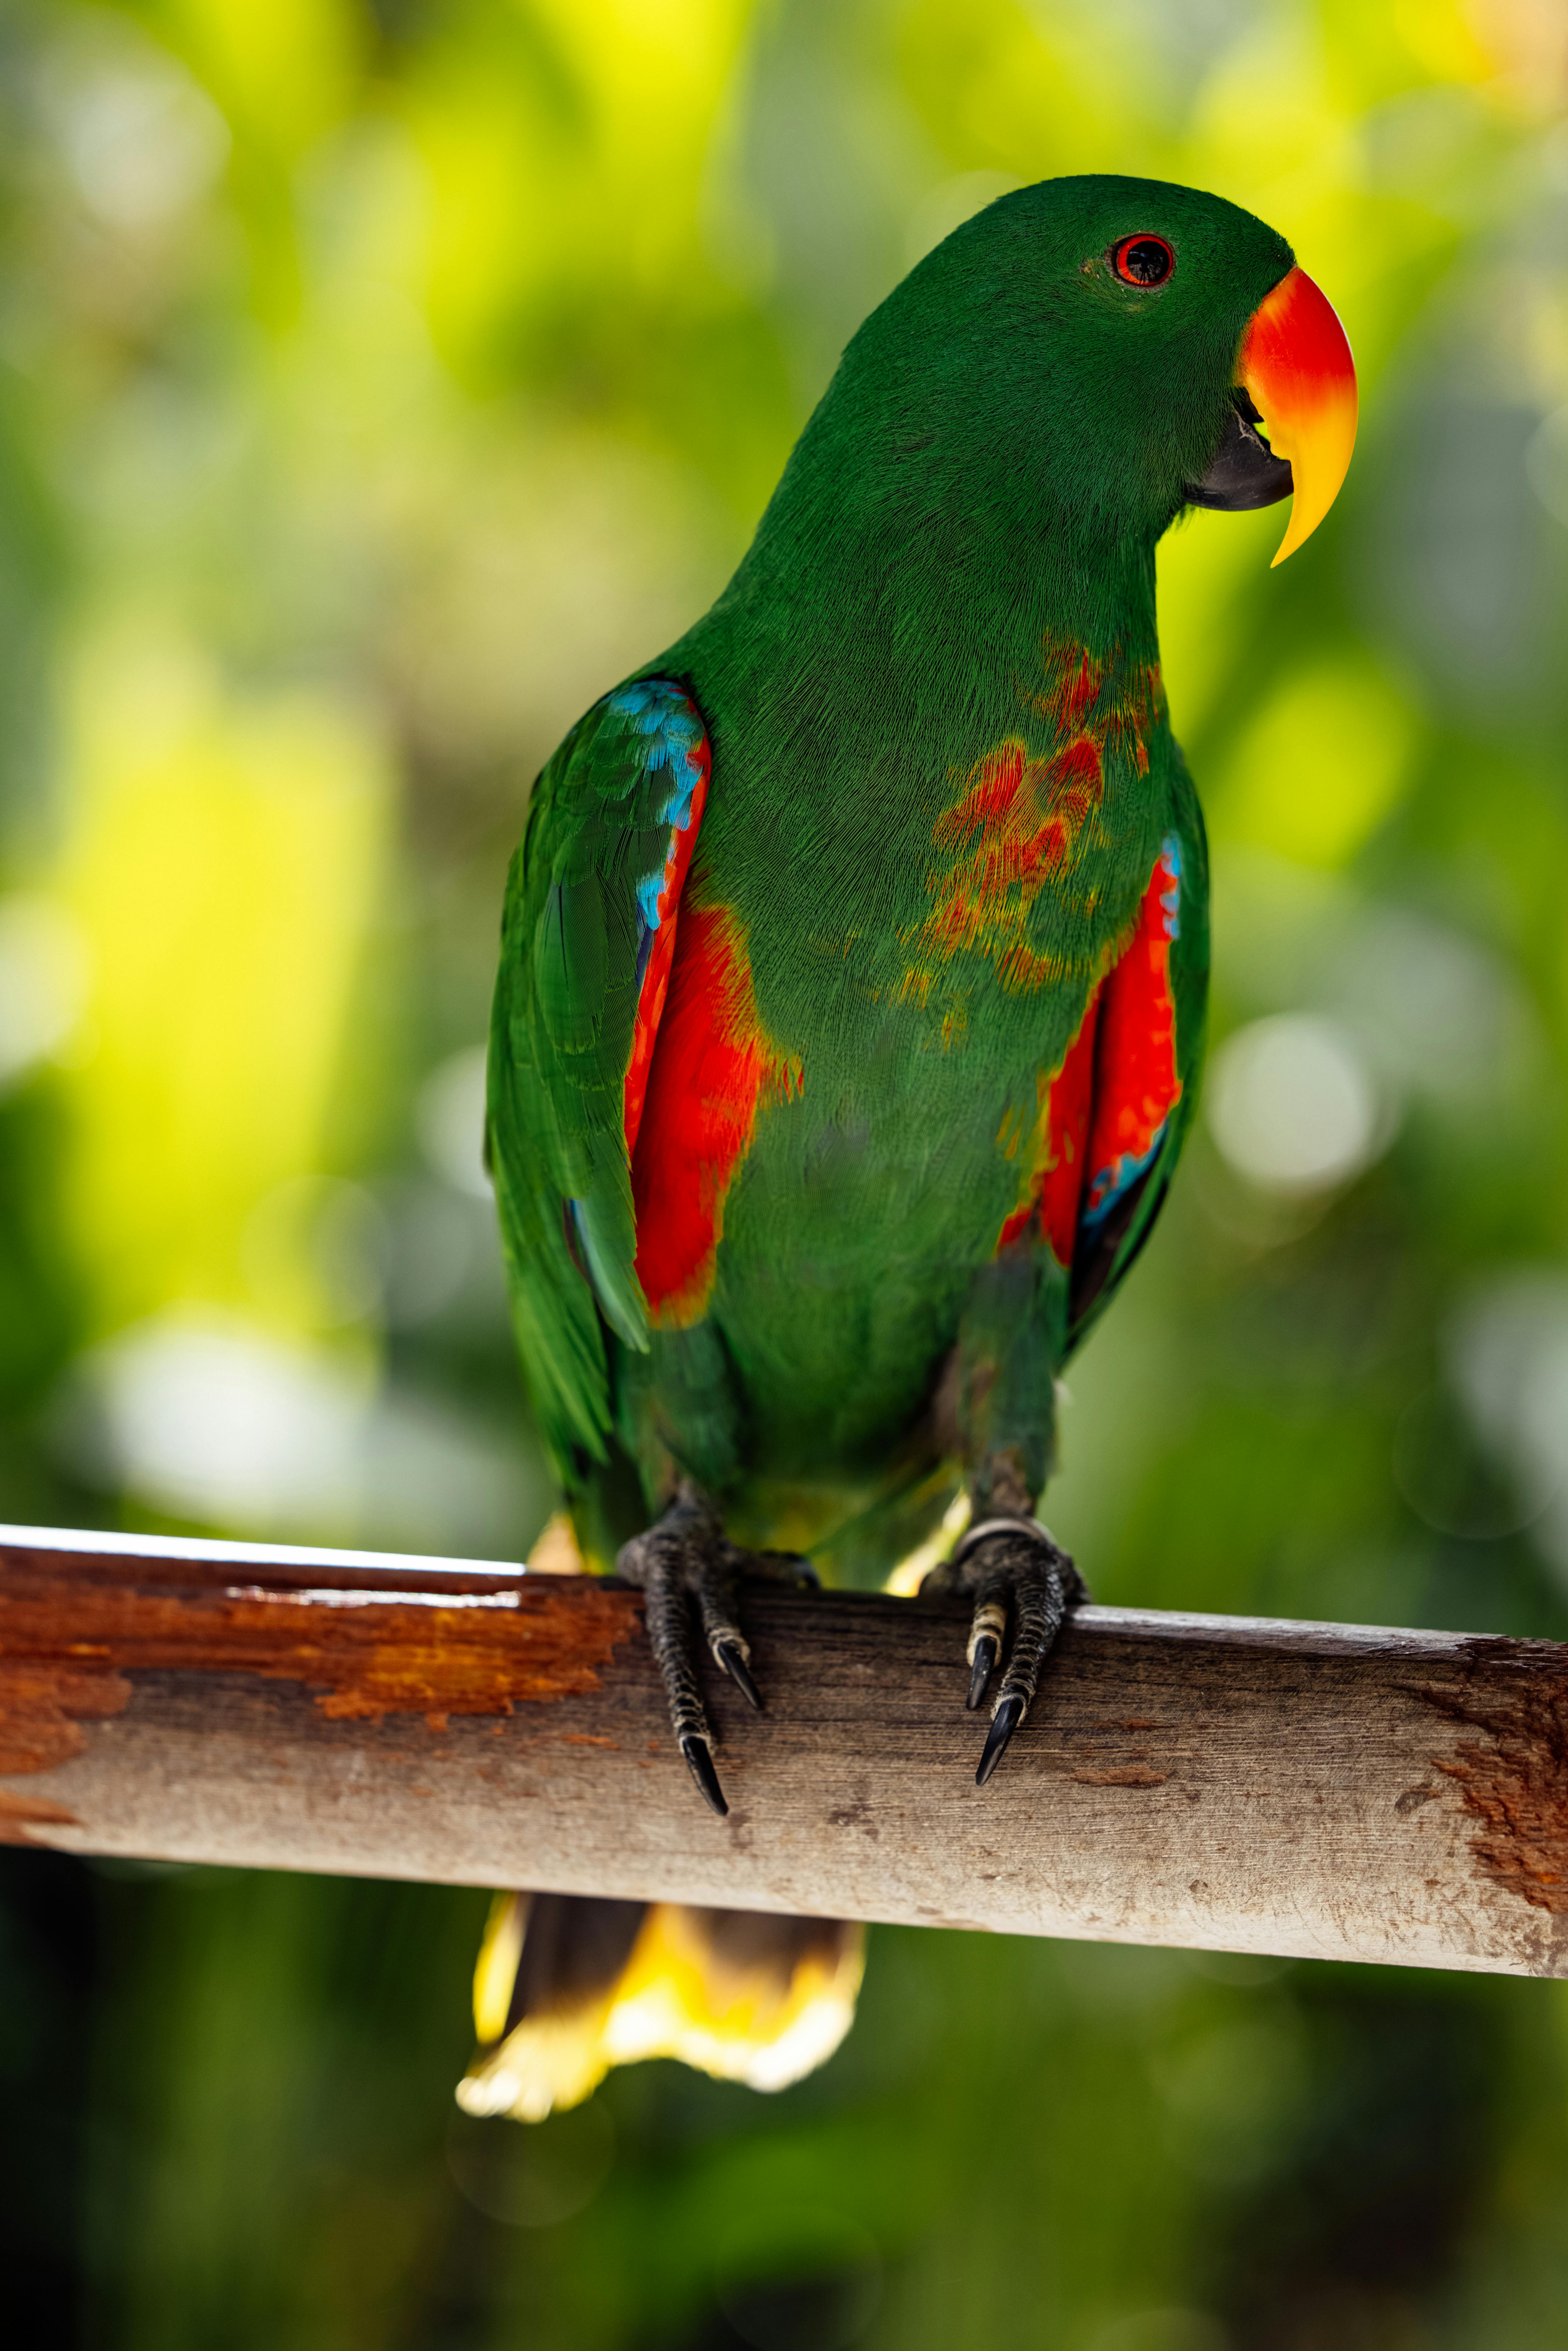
(587, 942)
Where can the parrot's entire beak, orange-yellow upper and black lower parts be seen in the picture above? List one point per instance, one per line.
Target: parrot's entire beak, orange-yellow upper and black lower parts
(1301, 384)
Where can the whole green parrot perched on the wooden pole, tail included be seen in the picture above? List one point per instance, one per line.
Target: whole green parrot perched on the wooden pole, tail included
(852, 1007)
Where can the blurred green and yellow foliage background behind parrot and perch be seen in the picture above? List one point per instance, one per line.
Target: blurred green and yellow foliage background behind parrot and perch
(382, 382)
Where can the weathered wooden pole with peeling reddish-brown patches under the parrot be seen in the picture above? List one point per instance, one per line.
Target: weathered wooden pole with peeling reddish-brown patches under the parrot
(1198, 1781)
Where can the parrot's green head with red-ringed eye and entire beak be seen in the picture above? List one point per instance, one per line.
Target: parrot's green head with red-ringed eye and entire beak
(1120, 349)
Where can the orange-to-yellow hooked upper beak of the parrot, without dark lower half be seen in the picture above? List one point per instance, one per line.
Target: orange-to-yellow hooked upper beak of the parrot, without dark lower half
(1299, 373)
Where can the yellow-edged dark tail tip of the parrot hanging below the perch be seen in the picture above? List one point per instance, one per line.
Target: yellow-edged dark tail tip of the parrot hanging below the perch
(568, 1988)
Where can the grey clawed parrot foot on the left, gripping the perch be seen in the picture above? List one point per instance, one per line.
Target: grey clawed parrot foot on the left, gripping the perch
(688, 1558)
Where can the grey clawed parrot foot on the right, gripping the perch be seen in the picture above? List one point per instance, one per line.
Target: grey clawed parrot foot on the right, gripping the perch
(998, 1560)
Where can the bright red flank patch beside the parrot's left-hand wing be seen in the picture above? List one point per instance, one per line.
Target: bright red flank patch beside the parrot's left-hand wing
(713, 1071)
